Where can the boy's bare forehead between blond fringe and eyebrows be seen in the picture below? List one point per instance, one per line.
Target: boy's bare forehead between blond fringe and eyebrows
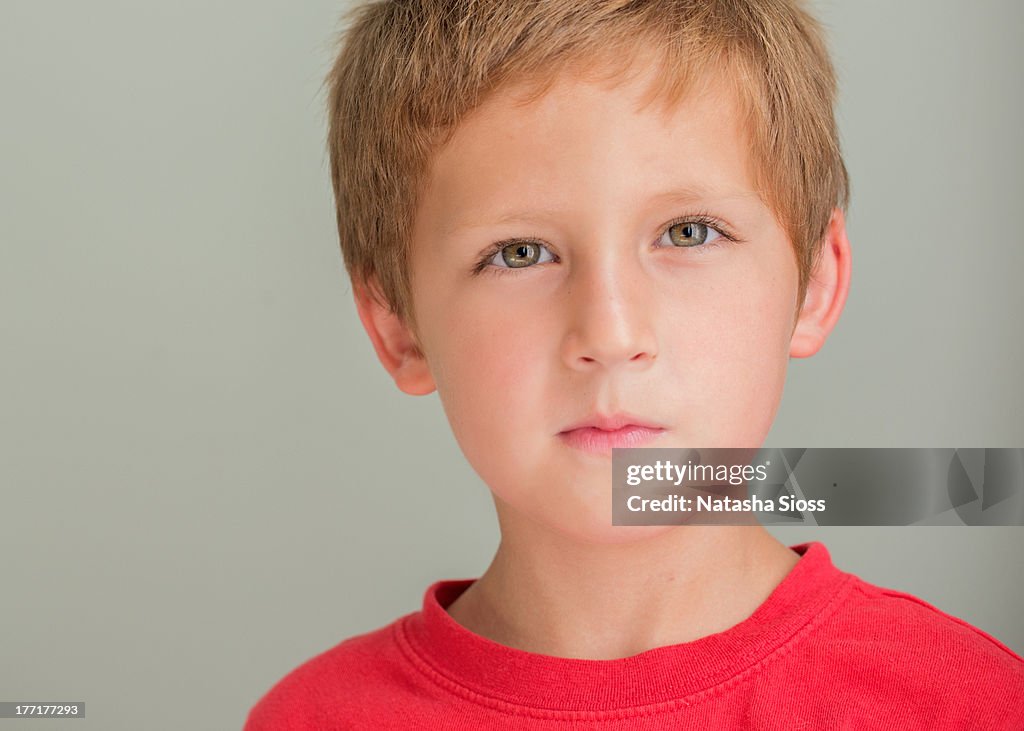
(544, 150)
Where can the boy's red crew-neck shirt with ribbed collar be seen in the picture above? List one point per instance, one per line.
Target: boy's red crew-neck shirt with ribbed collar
(826, 651)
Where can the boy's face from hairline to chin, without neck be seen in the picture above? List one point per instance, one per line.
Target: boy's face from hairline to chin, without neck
(622, 313)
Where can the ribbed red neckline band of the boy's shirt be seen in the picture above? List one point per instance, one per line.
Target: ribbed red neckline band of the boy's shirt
(661, 675)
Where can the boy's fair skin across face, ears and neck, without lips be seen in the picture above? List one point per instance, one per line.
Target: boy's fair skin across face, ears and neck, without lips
(610, 314)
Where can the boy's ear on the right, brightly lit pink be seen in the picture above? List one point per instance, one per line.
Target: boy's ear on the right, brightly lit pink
(827, 291)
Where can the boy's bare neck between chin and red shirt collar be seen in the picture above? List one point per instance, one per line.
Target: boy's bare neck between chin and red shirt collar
(549, 594)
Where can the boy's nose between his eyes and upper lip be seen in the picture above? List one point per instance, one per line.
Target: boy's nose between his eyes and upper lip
(611, 323)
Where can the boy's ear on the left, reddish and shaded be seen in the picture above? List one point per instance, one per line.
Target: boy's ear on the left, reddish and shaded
(395, 342)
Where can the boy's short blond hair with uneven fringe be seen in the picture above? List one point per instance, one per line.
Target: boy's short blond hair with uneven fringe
(409, 71)
